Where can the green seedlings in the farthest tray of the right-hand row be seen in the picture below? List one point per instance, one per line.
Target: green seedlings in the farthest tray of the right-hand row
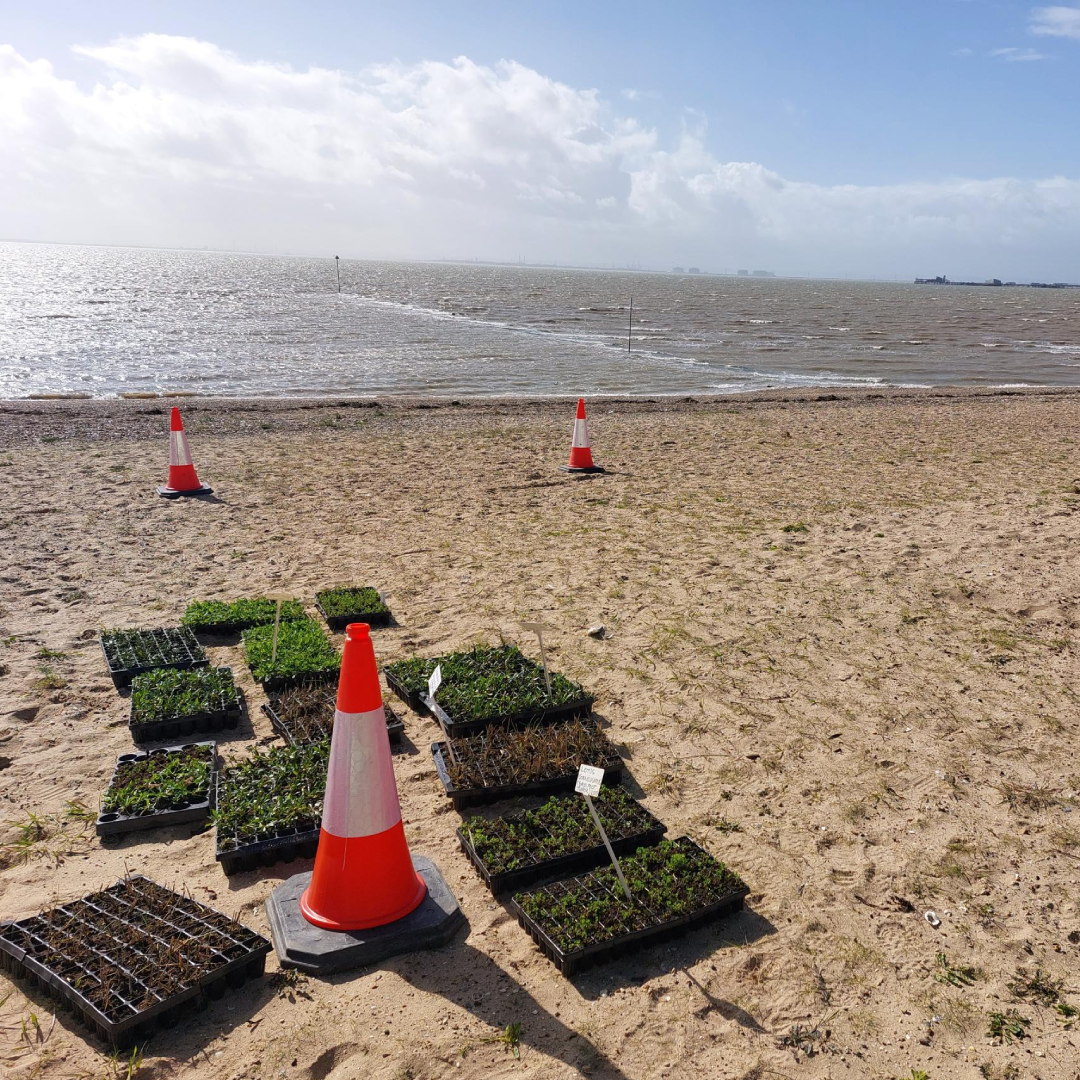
(488, 683)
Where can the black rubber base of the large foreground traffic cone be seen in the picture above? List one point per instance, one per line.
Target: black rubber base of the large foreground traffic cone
(320, 952)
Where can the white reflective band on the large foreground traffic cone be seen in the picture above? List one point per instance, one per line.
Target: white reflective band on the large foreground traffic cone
(359, 763)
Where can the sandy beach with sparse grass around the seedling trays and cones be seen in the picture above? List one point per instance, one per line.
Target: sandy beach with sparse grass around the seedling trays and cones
(841, 653)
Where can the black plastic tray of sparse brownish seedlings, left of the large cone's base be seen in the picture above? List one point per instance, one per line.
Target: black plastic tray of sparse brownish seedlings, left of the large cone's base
(48, 950)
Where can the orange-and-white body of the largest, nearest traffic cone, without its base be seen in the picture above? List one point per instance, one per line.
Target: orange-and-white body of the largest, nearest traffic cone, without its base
(364, 875)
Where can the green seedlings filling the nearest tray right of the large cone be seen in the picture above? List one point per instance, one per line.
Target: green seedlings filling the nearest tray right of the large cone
(672, 880)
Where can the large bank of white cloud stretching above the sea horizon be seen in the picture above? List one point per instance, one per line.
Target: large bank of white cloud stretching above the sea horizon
(180, 142)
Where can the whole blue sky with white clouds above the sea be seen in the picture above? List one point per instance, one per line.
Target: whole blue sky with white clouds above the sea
(823, 138)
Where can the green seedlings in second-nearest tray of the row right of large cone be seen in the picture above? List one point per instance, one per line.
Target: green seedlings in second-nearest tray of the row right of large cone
(562, 827)
